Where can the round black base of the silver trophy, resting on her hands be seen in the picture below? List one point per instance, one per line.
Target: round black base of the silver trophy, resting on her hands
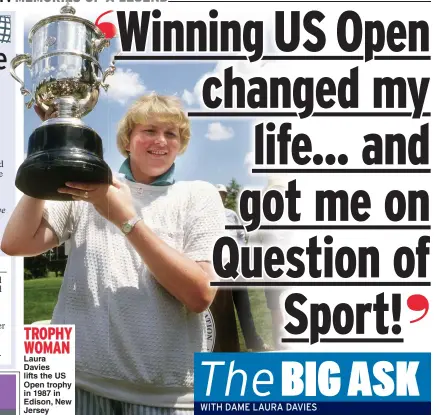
(61, 150)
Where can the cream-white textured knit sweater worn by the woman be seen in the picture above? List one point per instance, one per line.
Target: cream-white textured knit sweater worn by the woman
(134, 341)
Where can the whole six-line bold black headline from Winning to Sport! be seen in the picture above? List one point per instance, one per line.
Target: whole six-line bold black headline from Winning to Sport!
(294, 32)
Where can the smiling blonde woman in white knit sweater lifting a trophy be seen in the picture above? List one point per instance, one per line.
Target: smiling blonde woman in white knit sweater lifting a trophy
(138, 273)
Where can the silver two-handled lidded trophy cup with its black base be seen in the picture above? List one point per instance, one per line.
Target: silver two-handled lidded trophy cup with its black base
(66, 77)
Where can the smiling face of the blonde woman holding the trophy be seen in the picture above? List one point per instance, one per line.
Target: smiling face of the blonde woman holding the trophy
(153, 148)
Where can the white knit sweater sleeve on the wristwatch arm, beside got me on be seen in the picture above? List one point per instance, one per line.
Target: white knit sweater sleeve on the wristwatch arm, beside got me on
(206, 222)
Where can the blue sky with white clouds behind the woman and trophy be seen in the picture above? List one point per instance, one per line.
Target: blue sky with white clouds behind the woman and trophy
(215, 161)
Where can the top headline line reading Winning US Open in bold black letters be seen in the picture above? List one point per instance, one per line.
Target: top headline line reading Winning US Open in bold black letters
(213, 34)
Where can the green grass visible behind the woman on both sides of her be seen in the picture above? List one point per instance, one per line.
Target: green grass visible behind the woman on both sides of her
(40, 297)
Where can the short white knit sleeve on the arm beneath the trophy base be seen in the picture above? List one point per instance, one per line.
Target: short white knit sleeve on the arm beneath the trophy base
(59, 216)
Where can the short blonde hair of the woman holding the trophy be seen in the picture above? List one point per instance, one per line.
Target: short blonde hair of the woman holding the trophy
(163, 108)
